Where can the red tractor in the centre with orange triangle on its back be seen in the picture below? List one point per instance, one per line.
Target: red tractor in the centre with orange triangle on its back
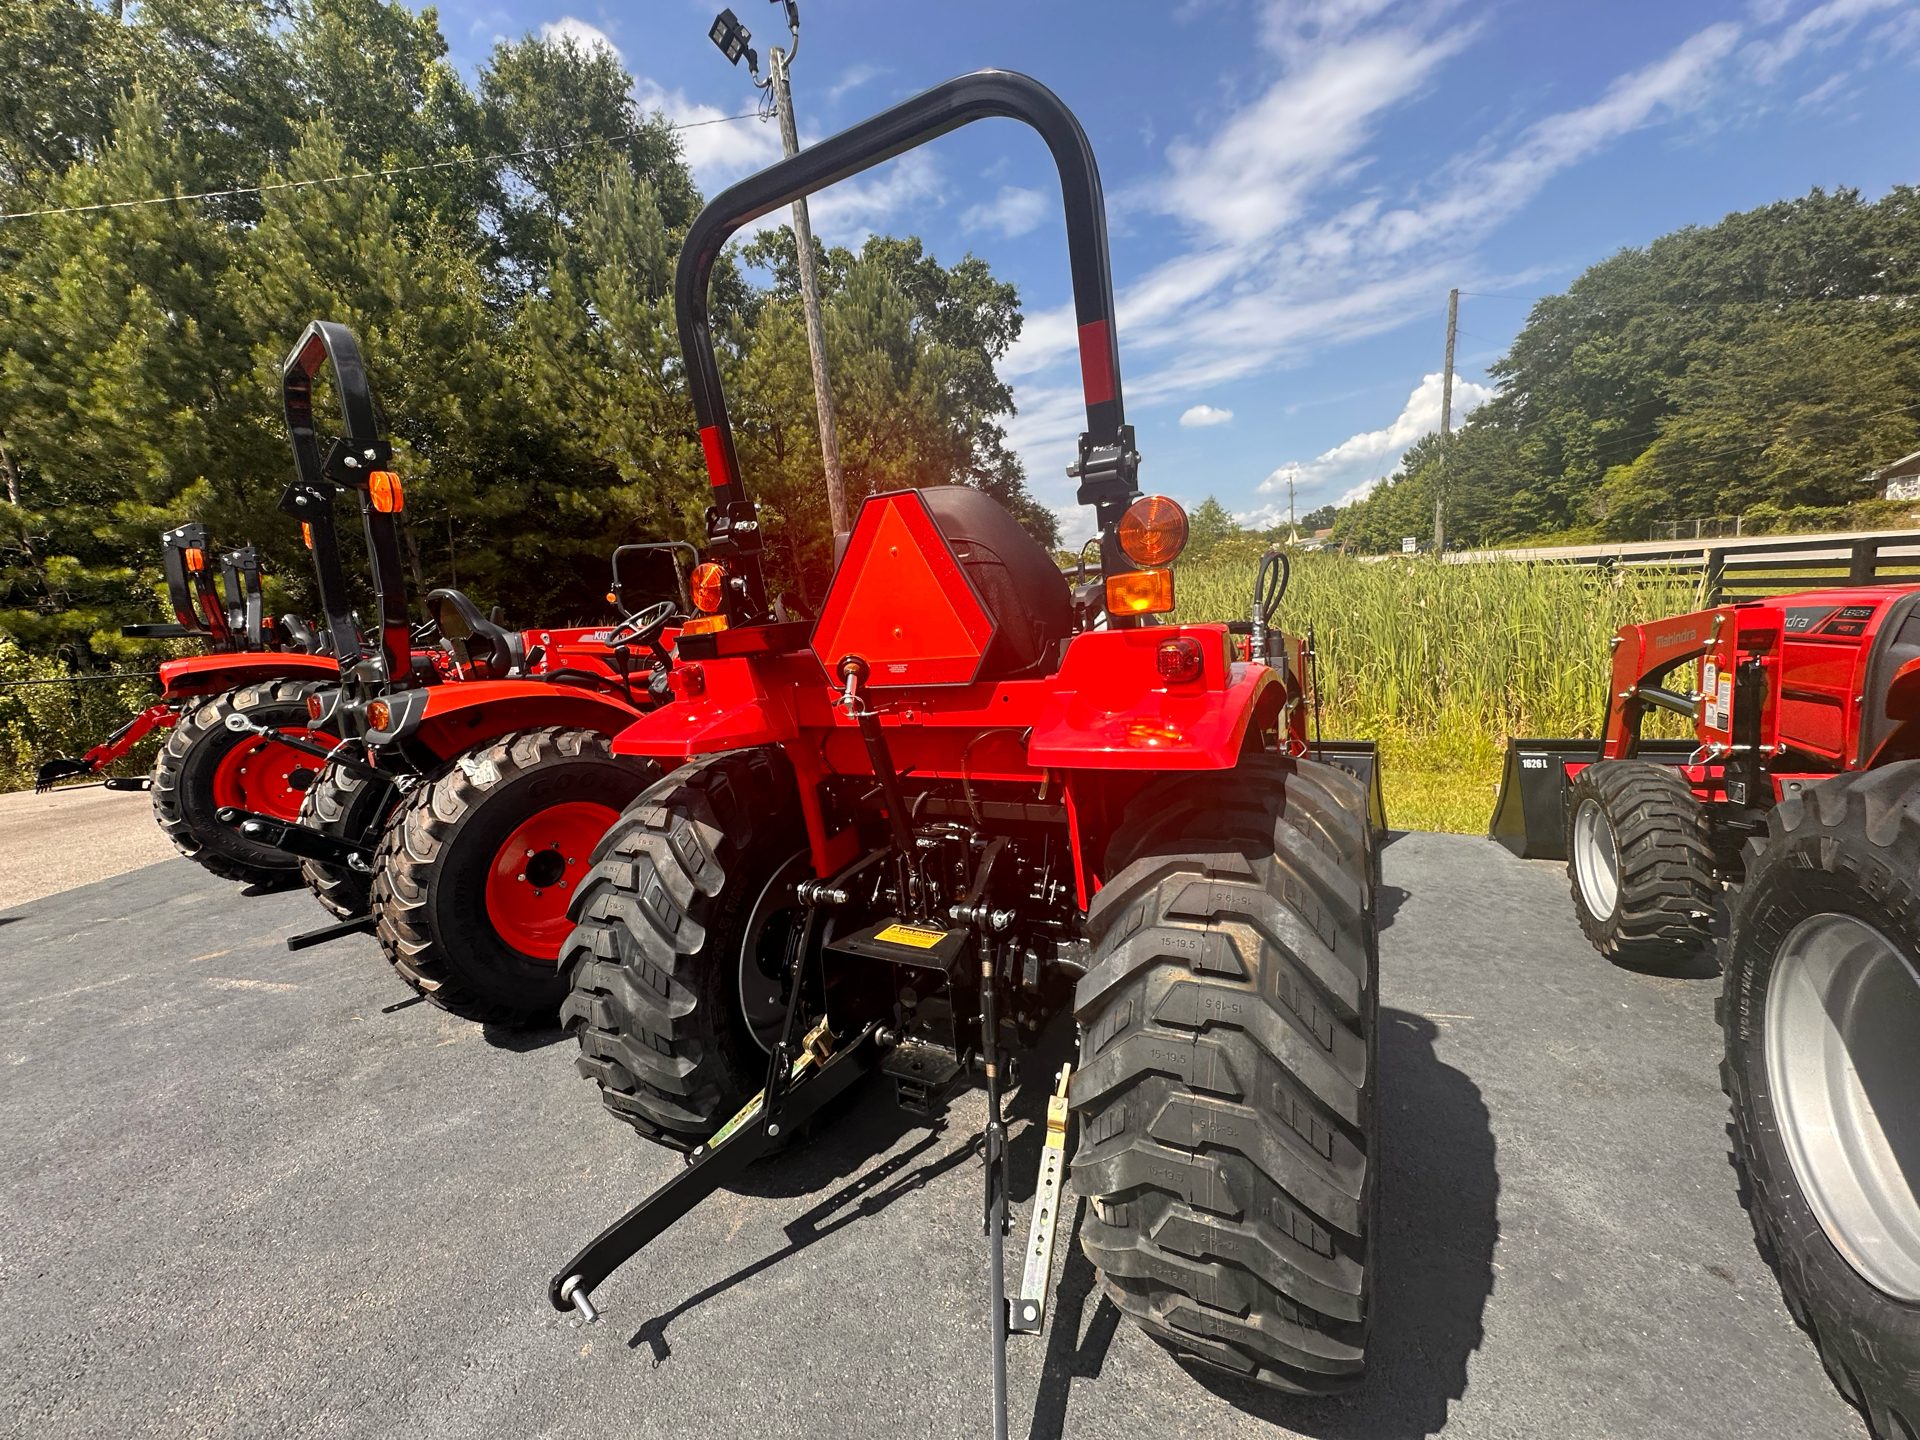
(909, 836)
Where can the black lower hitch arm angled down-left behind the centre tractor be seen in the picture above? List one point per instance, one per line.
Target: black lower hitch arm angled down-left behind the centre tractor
(817, 1078)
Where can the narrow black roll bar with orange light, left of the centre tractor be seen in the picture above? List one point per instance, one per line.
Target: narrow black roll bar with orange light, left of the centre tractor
(348, 464)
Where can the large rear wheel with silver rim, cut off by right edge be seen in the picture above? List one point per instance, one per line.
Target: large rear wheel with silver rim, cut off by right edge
(1823, 1067)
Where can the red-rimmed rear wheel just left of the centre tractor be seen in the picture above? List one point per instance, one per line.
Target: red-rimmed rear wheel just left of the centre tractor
(479, 942)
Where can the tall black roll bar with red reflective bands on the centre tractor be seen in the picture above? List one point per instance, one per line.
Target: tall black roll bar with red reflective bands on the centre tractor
(1107, 448)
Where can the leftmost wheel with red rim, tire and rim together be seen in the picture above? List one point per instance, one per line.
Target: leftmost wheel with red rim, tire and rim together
(206, 767)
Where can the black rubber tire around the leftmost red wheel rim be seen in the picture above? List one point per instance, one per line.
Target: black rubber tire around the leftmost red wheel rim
(183, 782)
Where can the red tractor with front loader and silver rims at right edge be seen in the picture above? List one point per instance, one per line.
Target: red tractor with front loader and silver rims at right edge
(1800, 794)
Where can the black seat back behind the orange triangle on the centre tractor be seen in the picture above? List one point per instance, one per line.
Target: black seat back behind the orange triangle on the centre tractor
(1017, 579)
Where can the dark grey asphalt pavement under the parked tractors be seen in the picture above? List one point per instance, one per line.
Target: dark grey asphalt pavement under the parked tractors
(252, 1193)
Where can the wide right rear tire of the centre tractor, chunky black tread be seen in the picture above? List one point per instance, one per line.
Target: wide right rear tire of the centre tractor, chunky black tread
(1228, 1072)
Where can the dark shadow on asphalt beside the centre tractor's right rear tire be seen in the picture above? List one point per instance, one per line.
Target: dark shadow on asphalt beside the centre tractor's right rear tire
(1435, 1262)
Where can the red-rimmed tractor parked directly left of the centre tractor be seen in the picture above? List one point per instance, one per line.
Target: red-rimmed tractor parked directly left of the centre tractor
(456, 815)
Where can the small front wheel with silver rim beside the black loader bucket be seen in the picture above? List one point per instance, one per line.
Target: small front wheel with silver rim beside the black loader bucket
(1669, 886)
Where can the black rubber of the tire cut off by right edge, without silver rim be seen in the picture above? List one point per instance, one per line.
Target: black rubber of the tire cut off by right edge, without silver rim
(1846, 846)
